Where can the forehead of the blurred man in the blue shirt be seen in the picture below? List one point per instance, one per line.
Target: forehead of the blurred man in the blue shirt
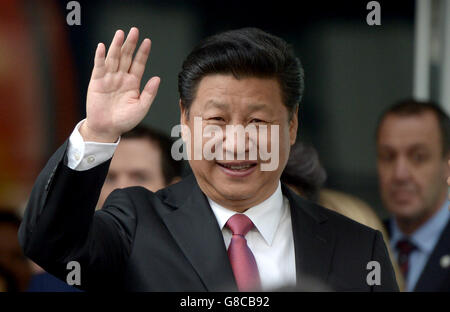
(399, 131)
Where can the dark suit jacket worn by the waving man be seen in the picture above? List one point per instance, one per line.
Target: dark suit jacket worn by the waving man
(170, 240)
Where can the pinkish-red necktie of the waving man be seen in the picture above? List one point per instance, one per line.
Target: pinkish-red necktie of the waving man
(242, 261)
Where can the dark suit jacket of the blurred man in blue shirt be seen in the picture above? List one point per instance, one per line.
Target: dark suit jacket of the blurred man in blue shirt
(434, 277)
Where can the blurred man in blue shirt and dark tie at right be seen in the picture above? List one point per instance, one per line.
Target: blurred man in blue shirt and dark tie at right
(413, 148)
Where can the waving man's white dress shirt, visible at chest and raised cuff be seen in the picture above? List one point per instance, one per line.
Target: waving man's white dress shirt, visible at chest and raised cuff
(271, 240)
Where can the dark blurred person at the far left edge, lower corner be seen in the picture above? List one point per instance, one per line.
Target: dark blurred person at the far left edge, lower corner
(16, 267)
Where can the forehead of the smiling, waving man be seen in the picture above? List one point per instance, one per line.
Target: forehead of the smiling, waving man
(226, 92)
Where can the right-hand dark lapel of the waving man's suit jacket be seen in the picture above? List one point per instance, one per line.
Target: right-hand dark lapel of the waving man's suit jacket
(313, 239)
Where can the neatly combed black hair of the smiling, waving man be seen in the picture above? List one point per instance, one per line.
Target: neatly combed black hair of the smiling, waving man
(246, 52)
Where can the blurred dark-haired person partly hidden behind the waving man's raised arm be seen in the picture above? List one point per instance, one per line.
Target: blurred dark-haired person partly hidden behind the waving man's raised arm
(142, 158)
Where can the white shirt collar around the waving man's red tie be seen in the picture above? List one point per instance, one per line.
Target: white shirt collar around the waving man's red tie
(265, 216)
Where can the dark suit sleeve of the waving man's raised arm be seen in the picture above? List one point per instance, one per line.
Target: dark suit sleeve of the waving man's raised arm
(60, 224)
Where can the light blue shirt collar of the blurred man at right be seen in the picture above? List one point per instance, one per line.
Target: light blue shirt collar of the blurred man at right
(426, 237)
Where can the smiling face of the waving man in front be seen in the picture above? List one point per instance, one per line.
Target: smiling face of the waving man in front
(223, 100)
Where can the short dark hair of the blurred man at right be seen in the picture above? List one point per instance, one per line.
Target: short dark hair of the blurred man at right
(411, 107)
